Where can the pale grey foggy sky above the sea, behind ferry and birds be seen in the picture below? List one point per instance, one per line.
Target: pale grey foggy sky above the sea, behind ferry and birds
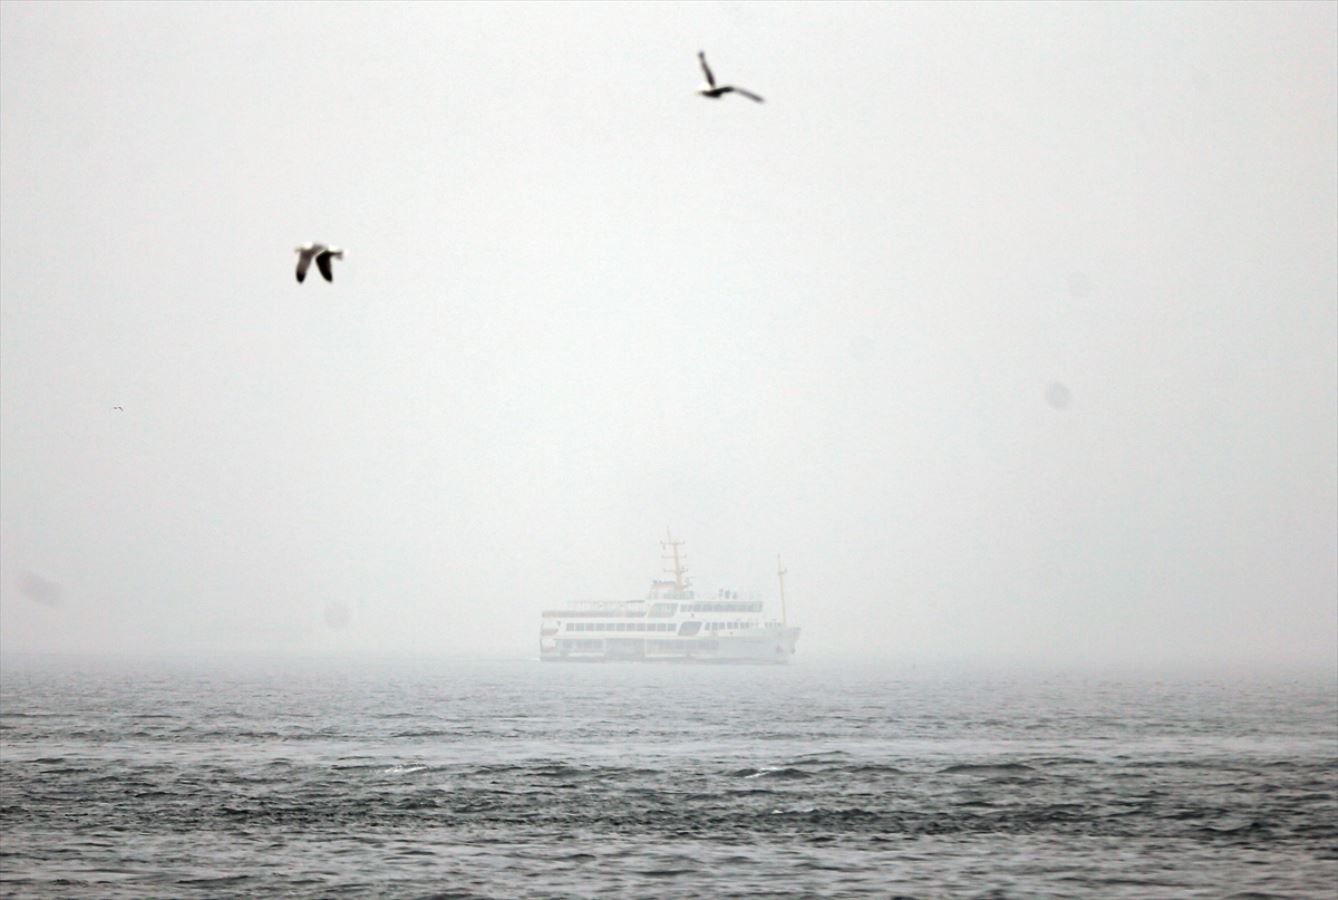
(1012, 327)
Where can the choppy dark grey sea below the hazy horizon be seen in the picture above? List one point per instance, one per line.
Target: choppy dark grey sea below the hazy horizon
(518, 779)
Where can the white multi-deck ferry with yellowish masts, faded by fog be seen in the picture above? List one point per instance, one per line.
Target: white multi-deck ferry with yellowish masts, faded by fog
(671, 625)
